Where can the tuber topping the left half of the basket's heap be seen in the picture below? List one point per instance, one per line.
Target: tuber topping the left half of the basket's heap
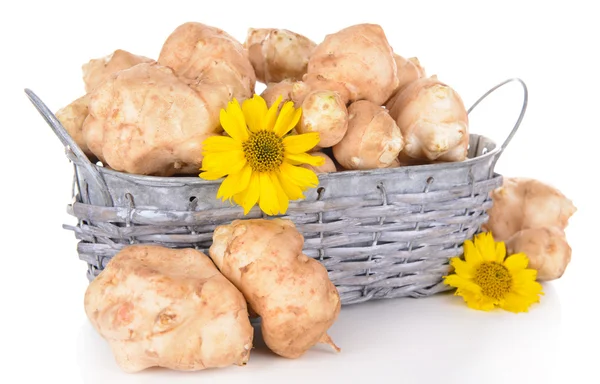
(208, 55)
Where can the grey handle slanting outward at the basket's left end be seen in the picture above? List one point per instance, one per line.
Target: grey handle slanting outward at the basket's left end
(70, 145)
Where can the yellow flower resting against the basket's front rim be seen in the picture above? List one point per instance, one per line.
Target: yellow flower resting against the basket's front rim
(259, 158)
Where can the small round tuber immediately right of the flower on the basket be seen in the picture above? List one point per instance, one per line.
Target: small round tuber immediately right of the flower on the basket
(324, 112)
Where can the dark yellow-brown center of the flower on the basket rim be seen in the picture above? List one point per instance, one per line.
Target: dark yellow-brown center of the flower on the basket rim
(263, 151)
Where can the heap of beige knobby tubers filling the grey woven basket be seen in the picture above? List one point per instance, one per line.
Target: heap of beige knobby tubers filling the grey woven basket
(372, 107)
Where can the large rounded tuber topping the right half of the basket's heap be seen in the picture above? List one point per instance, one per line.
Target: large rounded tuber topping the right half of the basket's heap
(357, 62)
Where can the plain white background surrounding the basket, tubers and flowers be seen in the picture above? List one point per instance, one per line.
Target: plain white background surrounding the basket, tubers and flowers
(470, 45)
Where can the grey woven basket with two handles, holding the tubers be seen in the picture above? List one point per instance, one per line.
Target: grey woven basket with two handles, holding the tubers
(381, 233)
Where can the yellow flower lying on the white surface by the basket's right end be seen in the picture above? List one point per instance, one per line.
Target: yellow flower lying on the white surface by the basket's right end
(485, 279)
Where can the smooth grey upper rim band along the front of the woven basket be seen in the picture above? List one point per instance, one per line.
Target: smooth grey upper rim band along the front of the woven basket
(175, 180)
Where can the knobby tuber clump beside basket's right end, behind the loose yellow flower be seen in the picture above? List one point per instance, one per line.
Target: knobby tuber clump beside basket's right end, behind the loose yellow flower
(531, 217)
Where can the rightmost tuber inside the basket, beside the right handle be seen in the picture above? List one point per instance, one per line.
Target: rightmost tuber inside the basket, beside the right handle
(433, 121)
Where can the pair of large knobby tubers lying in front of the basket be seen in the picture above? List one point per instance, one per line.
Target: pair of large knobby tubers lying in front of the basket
(183, 310)
